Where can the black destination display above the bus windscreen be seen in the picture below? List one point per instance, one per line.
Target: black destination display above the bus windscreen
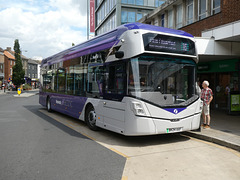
(170, 44)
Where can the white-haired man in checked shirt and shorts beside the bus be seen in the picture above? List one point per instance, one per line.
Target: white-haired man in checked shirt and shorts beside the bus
(207, 97)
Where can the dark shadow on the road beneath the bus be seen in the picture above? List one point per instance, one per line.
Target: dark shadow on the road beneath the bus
(103, 135)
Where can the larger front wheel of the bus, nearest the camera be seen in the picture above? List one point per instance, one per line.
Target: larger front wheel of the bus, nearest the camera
(90, 118)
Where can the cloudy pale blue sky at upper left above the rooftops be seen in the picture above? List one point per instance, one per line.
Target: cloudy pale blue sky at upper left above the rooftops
(43, 27)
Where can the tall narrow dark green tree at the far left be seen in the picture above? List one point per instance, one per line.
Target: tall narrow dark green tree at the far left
(18, 71)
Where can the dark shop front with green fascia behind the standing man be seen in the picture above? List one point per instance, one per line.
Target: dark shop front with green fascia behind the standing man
(224, 79)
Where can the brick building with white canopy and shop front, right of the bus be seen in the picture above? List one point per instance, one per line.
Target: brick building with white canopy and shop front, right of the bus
(216, 27)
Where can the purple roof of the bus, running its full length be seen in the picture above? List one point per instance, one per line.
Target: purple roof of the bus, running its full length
(105, 41)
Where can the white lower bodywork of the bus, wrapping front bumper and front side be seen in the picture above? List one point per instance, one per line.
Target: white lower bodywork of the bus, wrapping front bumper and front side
(120, 118)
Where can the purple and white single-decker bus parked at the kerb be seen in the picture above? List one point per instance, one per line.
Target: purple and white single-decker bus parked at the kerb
(137, 79)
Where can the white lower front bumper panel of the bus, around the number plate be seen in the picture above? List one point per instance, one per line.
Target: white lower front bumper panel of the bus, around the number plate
(159, 121)
